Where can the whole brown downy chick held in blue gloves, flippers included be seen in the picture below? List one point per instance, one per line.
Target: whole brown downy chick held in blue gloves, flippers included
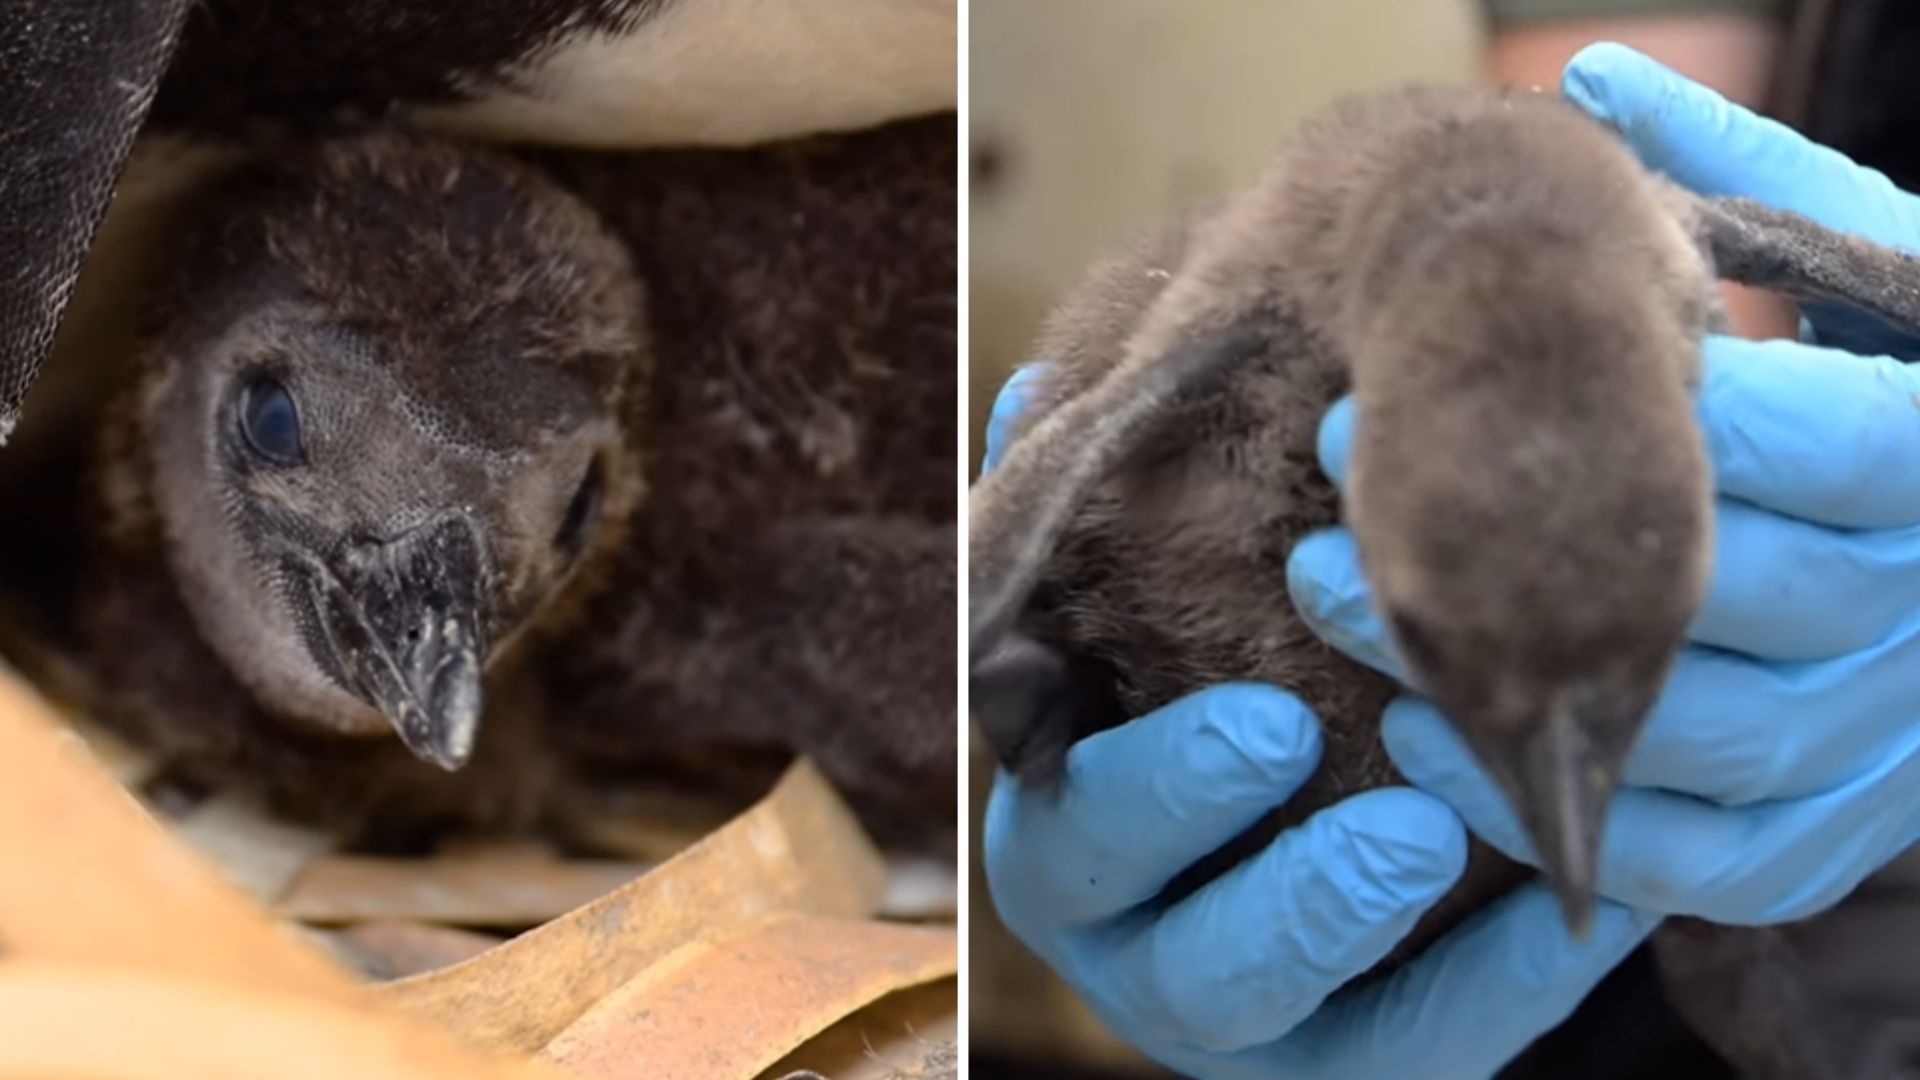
(1518, 308)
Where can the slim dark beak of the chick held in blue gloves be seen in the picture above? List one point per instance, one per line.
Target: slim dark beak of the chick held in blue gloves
(1560, 781)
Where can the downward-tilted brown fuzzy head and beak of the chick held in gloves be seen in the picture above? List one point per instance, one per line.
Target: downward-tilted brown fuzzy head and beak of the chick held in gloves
(1531, 499)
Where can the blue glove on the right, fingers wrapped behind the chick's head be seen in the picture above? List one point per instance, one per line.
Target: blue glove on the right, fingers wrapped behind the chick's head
(1783, 764)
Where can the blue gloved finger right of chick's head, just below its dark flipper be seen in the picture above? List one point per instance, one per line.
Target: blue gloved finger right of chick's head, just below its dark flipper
(1813, 433)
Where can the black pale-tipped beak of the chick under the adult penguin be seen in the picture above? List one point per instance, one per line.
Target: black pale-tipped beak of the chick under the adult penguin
(406, 629)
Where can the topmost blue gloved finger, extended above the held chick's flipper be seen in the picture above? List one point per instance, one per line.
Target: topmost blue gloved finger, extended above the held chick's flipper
(1719, 149)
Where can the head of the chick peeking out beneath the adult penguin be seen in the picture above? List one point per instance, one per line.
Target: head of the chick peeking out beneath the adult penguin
(381, 418)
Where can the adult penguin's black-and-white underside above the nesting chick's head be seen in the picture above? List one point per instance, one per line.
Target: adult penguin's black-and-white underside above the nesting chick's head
(592, 74)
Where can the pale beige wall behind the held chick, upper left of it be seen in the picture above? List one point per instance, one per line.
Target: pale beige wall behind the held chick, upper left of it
(1105, 114)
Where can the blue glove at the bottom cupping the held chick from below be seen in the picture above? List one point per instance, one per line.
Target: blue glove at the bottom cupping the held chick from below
(1234, 981)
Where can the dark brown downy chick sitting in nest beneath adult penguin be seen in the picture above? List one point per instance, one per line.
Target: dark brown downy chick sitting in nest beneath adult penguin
(692, 418)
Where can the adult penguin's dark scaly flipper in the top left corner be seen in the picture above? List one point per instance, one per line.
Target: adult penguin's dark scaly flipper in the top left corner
(76, 86)
